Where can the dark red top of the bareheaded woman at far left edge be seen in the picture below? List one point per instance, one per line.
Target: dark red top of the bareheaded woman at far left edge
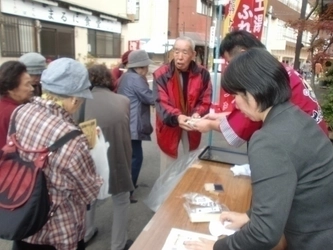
(7, 106)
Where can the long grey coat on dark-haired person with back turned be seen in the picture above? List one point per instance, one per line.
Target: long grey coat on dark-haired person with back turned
(112, 114)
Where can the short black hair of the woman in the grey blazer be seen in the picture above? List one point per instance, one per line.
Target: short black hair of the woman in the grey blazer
(259, 73)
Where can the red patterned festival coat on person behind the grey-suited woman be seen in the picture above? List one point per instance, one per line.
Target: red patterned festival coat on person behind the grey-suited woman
(237, 129)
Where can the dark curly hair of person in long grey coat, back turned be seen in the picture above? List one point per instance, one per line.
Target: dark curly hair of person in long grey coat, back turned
(100, 75)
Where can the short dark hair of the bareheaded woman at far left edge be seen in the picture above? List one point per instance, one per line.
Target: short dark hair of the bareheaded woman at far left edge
(10, 76)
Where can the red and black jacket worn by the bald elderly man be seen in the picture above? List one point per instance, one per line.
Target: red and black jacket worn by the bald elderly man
(168, 107)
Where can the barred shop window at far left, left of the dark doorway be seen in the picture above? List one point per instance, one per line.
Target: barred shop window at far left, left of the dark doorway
(17, 36)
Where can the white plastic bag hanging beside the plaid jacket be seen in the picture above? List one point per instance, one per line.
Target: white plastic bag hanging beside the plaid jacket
(99, 155)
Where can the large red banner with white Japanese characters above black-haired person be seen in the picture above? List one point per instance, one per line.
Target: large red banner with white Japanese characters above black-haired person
(249, 16)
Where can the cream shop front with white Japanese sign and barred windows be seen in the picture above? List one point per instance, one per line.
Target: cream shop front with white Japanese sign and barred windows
(79, 29)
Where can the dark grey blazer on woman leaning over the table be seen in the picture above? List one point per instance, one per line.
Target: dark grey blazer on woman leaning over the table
(291, 162)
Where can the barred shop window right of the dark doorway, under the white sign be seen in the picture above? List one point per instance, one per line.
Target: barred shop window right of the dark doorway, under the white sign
(104, 44)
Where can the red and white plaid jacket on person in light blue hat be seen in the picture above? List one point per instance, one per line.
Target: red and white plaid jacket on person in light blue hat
(71, 178)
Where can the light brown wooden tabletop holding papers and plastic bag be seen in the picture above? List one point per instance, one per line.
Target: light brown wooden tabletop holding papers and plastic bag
(236, 196)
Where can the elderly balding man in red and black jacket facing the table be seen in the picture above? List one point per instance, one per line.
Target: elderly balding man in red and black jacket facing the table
(182, 90)
